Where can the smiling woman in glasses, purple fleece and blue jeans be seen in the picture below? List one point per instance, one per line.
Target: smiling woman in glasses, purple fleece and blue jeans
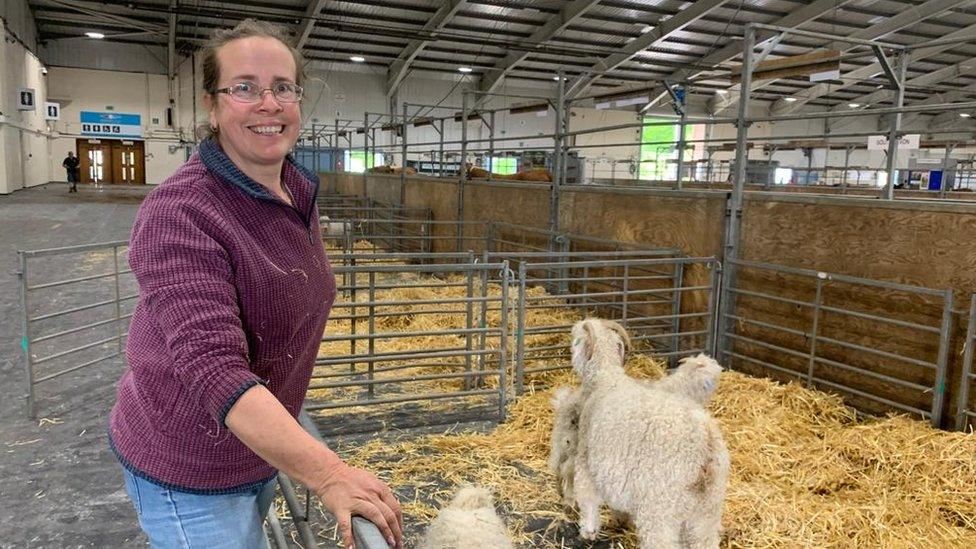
(234, 293)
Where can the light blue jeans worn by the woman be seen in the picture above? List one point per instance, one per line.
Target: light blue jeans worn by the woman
(180, 520)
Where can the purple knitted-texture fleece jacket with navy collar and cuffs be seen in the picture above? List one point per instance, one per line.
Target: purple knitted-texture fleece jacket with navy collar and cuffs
(234, 290)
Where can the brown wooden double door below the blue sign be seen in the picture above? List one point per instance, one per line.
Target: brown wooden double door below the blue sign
(112, 161)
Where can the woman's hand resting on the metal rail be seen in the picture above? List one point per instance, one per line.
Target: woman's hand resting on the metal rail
(348, 491)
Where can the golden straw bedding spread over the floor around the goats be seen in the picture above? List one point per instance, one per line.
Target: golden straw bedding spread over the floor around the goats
(806, 470)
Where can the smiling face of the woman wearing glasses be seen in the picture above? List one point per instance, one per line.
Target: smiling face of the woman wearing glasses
(262, 133)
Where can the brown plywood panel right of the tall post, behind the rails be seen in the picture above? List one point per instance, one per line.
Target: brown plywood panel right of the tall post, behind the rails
(932, 246)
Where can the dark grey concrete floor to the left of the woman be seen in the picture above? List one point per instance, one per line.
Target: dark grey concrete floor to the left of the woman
(60, 486)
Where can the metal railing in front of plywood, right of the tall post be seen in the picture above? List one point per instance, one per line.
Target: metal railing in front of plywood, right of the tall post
(788, 334)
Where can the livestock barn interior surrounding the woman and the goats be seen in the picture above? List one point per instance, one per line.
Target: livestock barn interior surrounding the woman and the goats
(784, 185)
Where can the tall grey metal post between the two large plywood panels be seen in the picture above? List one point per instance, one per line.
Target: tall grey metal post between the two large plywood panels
(734, 213)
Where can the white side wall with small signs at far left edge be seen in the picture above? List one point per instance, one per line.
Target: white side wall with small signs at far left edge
(23, 134)
